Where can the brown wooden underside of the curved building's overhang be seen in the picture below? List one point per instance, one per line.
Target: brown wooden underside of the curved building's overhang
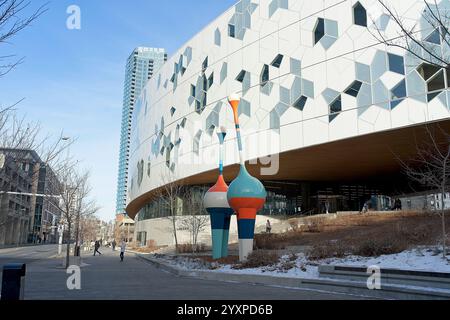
(353, 159)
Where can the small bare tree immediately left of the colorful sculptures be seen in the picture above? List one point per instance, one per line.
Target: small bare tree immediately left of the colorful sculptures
(196, 218)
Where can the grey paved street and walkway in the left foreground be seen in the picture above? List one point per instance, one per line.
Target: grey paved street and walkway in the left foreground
(105, 277)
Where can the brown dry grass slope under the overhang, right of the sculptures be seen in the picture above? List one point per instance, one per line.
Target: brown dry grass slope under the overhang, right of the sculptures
(369, 234)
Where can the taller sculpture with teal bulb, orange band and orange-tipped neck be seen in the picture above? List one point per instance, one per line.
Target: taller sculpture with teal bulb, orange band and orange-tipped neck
(246, 194)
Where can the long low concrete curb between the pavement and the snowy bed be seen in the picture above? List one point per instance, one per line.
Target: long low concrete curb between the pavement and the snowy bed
(331, 285)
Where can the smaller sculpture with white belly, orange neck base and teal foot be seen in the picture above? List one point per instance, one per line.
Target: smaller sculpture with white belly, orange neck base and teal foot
(216, 204)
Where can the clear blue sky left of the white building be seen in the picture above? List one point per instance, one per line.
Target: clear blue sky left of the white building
(72, 80)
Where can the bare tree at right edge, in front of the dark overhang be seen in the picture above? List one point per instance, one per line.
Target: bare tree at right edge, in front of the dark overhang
(430, 167)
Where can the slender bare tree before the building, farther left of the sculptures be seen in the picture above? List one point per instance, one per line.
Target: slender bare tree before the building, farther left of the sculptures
(171, 196)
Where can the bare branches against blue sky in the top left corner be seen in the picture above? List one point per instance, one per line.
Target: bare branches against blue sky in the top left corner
(13, 19)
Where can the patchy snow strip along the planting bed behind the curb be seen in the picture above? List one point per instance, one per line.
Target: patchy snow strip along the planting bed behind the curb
(424, 259)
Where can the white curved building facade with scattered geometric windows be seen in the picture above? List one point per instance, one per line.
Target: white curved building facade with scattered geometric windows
(309, 73)
